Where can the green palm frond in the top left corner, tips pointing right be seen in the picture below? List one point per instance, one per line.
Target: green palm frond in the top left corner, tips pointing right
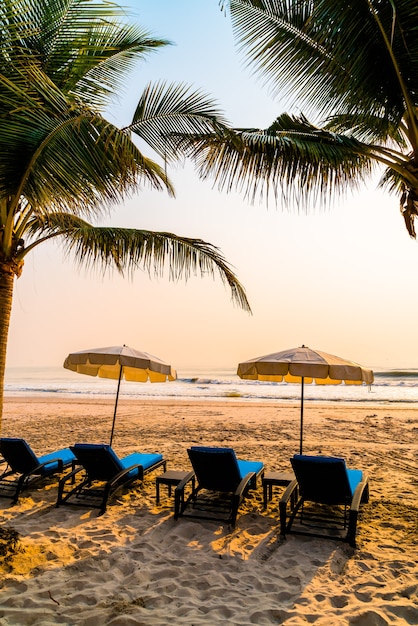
(84, 47)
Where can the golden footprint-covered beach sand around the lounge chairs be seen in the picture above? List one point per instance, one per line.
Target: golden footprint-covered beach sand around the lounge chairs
(135, 565)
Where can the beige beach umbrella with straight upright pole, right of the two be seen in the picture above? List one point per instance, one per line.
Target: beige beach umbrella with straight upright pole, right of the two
(303, 365)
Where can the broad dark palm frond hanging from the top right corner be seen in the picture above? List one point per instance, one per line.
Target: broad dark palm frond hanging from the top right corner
(331, 55)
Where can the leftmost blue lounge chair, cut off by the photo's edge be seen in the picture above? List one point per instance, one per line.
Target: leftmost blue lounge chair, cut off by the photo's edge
(24, 468)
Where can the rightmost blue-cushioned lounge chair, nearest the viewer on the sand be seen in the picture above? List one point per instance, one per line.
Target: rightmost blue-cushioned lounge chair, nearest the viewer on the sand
(325, 496)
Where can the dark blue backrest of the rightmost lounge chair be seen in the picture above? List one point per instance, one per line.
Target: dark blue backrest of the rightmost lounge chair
(322, 479)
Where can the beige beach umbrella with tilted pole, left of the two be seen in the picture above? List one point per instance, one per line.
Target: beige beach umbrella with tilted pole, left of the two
(119, 362)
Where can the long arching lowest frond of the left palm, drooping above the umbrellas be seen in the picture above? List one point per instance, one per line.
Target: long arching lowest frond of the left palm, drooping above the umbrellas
(126, 250)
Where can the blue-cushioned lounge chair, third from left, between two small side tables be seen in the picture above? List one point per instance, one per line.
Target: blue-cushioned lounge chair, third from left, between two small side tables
(222, 482)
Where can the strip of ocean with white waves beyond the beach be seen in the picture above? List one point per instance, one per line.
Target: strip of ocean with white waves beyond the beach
(214, 384)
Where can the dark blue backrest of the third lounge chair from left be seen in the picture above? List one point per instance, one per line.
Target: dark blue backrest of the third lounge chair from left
(216, 469)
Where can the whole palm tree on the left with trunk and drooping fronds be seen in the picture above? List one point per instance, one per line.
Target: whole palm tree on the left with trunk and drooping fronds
(63, 165)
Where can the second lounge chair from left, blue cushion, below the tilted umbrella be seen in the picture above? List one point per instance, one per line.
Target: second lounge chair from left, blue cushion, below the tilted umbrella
(102, 473)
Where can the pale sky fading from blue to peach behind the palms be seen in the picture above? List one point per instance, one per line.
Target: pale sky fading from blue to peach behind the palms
(340, 280)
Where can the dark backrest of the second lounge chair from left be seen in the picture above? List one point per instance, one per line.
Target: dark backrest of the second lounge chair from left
(98, 459)
